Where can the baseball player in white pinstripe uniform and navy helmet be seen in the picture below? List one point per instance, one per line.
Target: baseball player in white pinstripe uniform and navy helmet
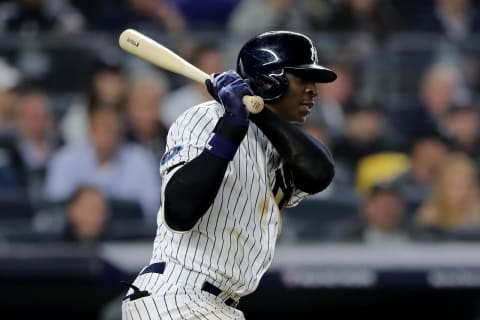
(227, 175)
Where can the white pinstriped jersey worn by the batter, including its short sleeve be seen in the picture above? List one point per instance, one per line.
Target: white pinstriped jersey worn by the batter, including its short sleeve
(233, 243)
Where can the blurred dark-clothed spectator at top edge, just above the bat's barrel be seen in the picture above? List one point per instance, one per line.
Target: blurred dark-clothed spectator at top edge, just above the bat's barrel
(141, 14)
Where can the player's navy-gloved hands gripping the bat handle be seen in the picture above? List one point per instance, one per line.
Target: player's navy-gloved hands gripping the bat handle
(229, 88)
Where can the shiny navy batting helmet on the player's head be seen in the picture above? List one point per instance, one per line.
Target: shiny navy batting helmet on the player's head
(264, 59)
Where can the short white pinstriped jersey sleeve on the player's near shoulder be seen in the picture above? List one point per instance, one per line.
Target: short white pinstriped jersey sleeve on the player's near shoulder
(188, 136)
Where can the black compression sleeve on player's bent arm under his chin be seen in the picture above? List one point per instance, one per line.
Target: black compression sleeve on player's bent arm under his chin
(310, 161)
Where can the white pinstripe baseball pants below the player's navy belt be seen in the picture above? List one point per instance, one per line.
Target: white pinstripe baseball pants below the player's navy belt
(176, 294)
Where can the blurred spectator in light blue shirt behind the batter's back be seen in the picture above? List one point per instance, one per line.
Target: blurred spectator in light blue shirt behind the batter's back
(121, 170)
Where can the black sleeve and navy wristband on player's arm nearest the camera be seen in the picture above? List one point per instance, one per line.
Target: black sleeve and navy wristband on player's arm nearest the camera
(192, 189)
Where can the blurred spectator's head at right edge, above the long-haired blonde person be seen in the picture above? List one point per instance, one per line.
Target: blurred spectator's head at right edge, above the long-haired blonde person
(464, 129)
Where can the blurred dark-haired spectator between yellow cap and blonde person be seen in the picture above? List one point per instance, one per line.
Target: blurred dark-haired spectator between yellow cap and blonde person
(426, 151)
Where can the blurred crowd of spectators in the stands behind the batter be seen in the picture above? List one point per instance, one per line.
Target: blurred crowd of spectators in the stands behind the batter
(82, 130)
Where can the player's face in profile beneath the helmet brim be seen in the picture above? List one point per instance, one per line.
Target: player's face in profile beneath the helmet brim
(295, 105)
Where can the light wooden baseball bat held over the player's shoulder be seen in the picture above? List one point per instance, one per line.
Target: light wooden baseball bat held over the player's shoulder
(150, 50)
